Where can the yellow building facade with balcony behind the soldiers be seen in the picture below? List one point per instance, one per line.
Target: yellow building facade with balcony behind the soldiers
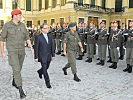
(36, 12)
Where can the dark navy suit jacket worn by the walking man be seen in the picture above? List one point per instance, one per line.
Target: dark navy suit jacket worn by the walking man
(43, 50)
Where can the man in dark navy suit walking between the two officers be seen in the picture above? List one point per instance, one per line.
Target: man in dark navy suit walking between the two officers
(44, 52)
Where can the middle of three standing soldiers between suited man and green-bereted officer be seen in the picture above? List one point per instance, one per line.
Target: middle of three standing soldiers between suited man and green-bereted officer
(58, 39)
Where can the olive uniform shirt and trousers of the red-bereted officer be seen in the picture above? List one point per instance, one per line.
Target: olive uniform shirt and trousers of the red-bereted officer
(15, 37)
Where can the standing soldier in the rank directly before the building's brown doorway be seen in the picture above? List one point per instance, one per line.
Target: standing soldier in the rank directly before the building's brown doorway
(91, 42)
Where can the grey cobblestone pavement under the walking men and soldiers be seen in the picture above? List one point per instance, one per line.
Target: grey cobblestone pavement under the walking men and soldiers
(97, 82)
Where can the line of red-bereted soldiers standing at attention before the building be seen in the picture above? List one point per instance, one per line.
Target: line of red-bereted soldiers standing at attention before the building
(115, 40)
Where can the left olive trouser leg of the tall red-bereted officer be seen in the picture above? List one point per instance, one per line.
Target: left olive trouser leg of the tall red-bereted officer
(14, 63)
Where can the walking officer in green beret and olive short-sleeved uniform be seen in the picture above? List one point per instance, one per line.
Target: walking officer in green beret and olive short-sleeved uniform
(71, 42)
